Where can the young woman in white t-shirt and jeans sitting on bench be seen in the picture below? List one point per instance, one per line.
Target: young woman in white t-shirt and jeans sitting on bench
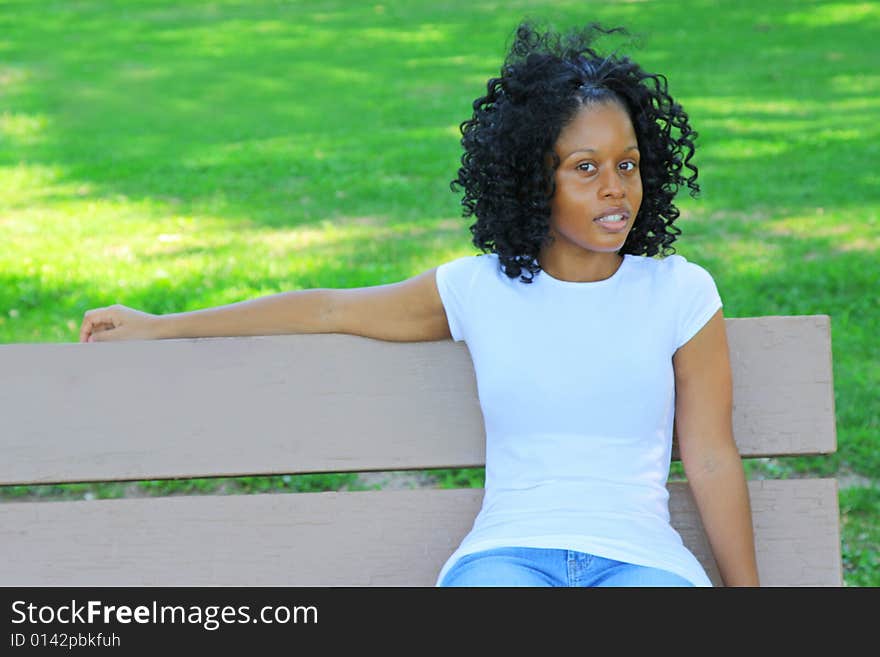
(587, 349)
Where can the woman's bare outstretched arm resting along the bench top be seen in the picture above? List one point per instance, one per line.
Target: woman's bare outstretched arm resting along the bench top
(407, 311)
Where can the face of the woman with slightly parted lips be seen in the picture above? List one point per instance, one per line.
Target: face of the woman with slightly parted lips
(598, 176)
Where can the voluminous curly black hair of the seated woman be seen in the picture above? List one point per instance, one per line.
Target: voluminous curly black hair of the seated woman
(508, 165)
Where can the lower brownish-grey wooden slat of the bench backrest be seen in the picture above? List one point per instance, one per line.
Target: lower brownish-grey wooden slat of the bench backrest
(377, 538)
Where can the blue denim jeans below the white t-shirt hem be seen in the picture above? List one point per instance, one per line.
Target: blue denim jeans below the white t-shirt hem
(515, 566)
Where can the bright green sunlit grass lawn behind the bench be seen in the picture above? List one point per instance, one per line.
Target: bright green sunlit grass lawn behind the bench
(175, 155)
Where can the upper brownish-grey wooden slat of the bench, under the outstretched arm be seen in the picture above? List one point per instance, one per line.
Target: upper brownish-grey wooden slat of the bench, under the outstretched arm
(329, 402)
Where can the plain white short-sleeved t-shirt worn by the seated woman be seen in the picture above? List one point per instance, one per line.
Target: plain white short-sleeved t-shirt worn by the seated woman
(577, 389)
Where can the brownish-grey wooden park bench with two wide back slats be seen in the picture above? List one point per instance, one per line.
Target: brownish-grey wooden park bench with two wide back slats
(338, 403)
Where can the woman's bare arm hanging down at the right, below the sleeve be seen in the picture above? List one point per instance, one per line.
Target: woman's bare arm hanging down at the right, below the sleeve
(704, 430)
